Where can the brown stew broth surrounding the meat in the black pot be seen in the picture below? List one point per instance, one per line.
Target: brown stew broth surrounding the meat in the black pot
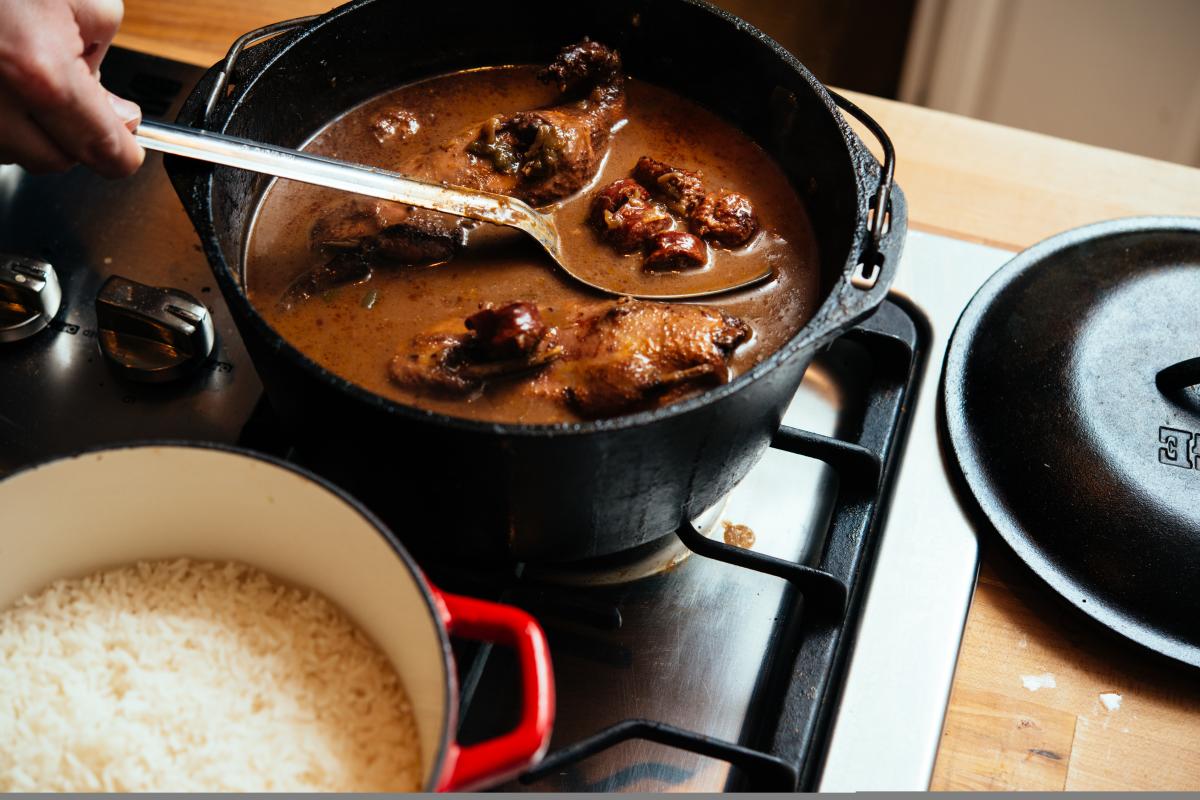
(339, 333)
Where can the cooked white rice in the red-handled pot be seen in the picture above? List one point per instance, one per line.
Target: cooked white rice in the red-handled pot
(188, 676)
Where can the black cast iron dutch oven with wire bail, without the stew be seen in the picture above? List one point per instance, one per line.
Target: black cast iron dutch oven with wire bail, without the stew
(550, 492)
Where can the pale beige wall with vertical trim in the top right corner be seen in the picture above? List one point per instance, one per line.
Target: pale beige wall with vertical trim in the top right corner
(1119, 74)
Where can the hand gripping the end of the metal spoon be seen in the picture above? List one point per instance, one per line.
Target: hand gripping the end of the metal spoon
(53, 111)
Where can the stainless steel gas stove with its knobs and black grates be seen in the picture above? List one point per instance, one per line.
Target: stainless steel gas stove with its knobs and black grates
(803, 635)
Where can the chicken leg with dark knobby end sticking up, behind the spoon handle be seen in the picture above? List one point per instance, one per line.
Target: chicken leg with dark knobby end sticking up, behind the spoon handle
(544, 155)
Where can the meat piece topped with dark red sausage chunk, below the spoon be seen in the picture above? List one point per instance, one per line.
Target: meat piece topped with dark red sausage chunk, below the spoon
(500, 342)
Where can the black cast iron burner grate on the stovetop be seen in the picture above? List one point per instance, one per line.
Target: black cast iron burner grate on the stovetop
(785, 730)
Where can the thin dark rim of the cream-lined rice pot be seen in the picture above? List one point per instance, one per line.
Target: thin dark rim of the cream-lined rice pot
(451, 685)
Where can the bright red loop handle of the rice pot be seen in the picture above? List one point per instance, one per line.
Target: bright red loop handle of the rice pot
(507, 756)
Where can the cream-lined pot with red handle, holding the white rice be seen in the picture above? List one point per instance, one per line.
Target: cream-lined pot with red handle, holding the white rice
(169, 502)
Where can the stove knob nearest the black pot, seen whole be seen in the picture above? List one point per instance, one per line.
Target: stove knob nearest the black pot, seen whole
(153, 335)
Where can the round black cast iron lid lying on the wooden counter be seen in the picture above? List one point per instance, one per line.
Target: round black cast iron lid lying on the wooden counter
(1071, 404)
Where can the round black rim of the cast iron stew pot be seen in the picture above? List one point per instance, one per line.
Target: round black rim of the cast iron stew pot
(802, 341)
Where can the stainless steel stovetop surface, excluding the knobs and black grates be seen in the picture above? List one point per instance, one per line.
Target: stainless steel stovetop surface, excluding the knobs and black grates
(691, 648)
